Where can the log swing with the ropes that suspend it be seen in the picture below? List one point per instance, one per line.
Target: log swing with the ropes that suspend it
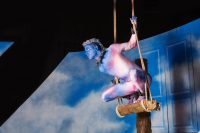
(146, 105)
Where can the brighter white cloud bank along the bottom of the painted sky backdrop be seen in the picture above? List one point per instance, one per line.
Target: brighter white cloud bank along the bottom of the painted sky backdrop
(89, 116)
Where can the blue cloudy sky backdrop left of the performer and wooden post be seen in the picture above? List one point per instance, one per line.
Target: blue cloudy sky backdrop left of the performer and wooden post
(69, 101)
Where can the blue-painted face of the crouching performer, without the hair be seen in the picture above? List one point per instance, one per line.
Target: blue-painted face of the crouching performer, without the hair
(90, 51)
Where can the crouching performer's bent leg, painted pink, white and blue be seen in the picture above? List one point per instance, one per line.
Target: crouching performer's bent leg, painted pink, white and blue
(119, 90)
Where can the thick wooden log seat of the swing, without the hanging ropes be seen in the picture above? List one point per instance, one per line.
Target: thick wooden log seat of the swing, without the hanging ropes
(137, 107)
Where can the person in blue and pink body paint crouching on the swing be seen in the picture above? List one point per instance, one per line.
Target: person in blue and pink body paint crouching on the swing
(112, 61)
